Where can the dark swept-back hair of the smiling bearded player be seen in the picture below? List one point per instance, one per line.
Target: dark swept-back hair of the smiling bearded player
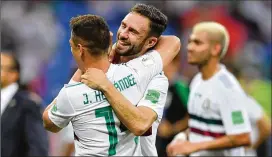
(158, 21)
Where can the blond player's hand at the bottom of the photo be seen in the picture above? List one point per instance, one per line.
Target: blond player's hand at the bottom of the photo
(182, 148)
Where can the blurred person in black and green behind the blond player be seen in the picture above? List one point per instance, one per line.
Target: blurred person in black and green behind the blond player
(175, 113)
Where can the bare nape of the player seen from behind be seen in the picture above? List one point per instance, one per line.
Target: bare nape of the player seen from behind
(101, 63)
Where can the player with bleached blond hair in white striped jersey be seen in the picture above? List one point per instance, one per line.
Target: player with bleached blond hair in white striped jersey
(218, 123)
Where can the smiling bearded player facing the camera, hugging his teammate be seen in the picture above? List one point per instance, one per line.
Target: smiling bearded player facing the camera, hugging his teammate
(142, 26)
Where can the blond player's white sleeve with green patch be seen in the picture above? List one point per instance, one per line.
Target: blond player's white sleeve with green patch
(234, 115)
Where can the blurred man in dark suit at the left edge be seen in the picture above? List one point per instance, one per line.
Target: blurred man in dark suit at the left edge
(22, 132)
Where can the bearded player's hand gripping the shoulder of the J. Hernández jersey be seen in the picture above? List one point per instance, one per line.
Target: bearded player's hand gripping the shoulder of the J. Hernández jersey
(95, 79)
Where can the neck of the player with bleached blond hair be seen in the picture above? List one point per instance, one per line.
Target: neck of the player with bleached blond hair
(209, 70)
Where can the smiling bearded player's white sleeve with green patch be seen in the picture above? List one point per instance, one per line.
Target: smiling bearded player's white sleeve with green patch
(155, 95)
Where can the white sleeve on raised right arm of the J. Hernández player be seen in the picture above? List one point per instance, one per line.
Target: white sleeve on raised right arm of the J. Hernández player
(146, 67)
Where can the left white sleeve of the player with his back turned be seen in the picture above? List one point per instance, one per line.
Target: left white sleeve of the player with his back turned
(62, 111)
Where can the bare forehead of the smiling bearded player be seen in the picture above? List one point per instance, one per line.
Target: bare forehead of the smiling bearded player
(137, 21)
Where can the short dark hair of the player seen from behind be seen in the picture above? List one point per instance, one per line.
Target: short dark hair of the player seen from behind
(92, 32)
